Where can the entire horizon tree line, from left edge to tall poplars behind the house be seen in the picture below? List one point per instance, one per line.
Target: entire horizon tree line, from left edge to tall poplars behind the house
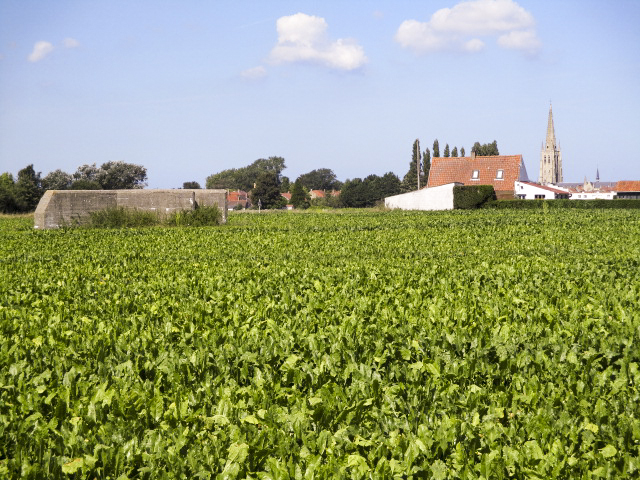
(263, 180)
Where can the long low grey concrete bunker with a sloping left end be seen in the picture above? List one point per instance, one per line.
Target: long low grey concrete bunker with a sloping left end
(58, 208)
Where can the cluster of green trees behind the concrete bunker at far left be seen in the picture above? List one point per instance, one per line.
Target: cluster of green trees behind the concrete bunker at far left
(23, 193)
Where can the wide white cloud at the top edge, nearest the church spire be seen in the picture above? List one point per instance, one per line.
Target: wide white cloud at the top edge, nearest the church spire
(458, 28)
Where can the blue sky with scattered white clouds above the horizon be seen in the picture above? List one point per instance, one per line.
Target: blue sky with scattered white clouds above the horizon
(190, 88)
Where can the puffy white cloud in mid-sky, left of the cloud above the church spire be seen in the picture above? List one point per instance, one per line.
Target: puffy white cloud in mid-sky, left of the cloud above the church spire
(302, 38)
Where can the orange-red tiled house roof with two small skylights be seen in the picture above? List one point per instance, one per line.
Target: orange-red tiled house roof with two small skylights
(446, 170)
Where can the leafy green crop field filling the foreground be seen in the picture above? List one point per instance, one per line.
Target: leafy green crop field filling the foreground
(478, 344)
